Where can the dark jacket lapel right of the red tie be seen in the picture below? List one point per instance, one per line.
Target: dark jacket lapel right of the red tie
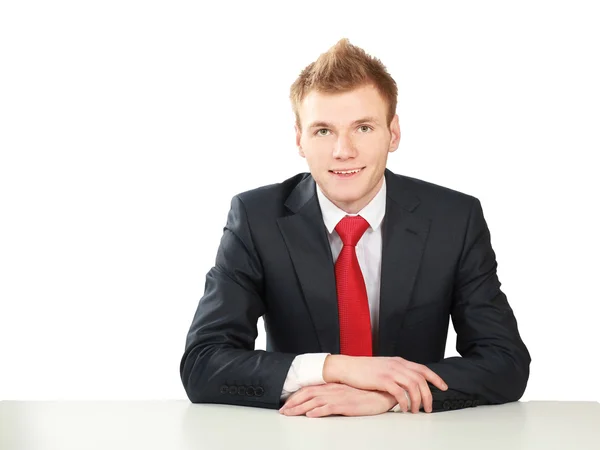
(404, 234)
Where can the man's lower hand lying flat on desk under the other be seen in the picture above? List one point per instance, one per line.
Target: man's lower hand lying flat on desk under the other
(333, 398)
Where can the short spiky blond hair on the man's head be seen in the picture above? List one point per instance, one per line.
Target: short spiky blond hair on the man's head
(342, 68)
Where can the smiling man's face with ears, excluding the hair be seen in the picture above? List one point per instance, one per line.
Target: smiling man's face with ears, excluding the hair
(347, 132)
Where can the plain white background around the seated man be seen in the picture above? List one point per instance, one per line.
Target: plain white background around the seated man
(126, 127)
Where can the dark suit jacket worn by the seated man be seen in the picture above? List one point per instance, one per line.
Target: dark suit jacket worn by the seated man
(274, 260)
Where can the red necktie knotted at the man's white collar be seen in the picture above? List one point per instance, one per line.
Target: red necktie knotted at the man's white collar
(353, 304)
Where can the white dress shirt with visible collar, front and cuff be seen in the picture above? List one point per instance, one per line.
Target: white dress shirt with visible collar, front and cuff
(307, 369)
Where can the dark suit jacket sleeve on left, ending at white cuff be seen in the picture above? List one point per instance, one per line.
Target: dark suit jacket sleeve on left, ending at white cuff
(220, 364)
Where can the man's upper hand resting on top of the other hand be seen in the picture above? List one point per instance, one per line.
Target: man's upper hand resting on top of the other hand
(389, 374)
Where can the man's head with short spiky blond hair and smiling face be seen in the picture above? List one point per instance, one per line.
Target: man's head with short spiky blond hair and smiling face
(345, 108)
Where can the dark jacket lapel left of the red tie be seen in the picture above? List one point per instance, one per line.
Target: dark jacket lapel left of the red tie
(305, 236)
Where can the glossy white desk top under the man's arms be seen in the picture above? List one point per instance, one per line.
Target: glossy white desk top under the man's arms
(174, 425)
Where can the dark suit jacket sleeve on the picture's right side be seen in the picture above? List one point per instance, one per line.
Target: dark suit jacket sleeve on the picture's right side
(494, 363)
